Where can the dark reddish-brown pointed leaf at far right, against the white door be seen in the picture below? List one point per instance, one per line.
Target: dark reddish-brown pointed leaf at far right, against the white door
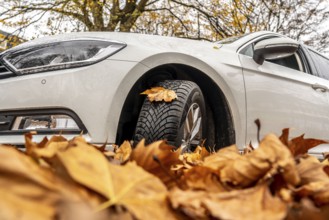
(299, 145)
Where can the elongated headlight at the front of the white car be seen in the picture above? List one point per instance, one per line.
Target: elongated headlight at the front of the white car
(59, 55)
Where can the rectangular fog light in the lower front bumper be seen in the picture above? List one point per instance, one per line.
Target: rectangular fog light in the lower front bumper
(44, 122)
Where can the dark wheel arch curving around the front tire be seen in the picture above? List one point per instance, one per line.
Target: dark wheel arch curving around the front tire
(178, 68)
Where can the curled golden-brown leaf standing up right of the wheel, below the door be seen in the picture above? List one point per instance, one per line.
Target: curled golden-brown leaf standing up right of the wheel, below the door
(270, 158)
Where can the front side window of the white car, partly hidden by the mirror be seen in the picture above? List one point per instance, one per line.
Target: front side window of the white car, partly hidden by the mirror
(294, 61)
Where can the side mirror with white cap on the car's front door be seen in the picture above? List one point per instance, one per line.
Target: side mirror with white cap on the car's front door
(274, 48)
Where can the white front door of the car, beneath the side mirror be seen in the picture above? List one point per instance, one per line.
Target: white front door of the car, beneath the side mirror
(284, 96)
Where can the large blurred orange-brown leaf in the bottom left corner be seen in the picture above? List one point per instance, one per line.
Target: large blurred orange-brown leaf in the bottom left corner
(27, 191)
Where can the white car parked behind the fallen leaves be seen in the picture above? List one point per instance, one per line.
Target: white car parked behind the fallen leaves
(90, 83)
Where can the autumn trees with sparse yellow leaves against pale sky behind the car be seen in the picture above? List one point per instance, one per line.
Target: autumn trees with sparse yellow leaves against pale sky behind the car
(196, 19)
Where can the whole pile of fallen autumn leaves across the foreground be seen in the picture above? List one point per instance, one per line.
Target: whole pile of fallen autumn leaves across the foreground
(61, 179)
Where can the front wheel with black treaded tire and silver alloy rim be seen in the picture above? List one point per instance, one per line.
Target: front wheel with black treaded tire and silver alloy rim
(181, 122)
